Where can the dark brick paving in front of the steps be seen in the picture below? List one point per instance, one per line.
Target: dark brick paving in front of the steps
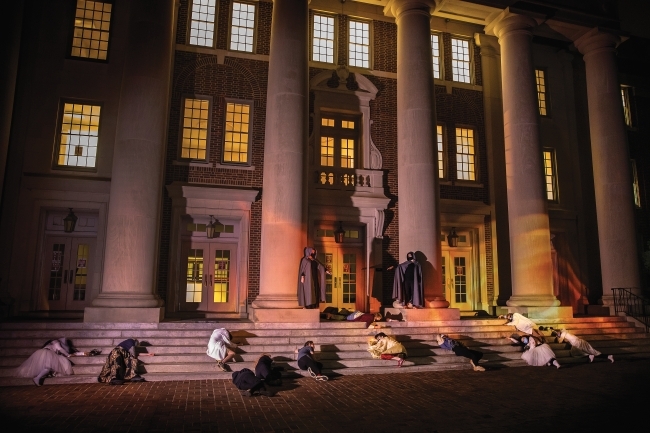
(577, 398)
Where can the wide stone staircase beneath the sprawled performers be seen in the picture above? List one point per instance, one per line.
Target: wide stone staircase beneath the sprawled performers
(179, 347)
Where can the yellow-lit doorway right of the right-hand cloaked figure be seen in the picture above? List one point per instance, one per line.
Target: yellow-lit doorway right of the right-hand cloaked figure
(457, 278)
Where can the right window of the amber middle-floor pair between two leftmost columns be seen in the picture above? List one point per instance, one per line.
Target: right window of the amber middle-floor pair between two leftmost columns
(236, 146)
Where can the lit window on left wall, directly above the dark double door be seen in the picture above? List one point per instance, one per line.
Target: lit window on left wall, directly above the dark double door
(79, 135)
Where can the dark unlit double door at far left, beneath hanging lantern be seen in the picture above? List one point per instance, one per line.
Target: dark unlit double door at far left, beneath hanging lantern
(67, 275)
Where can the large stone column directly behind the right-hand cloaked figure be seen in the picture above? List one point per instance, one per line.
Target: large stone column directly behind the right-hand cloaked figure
(417, 165)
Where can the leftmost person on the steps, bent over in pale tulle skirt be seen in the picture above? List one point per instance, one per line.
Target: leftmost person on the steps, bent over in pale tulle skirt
(52, 358)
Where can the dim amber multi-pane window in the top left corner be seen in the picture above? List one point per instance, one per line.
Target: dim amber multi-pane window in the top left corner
(91, 29)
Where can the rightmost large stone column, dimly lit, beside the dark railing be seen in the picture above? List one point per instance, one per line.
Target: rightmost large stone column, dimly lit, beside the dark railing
(611, 163)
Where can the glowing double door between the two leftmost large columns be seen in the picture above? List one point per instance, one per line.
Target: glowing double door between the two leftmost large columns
(208, 277)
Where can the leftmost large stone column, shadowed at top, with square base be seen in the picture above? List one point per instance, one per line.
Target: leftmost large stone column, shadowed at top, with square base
(128, 283)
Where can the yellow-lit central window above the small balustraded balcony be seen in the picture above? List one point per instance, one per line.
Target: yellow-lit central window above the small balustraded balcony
(338, 142)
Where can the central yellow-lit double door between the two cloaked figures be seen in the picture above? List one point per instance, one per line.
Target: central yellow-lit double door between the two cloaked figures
(345, 282)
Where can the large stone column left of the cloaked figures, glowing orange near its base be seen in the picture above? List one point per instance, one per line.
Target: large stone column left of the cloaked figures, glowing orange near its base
(283, 203)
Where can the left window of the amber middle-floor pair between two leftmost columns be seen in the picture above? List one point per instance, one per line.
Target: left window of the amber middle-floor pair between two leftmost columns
(196, 120)
